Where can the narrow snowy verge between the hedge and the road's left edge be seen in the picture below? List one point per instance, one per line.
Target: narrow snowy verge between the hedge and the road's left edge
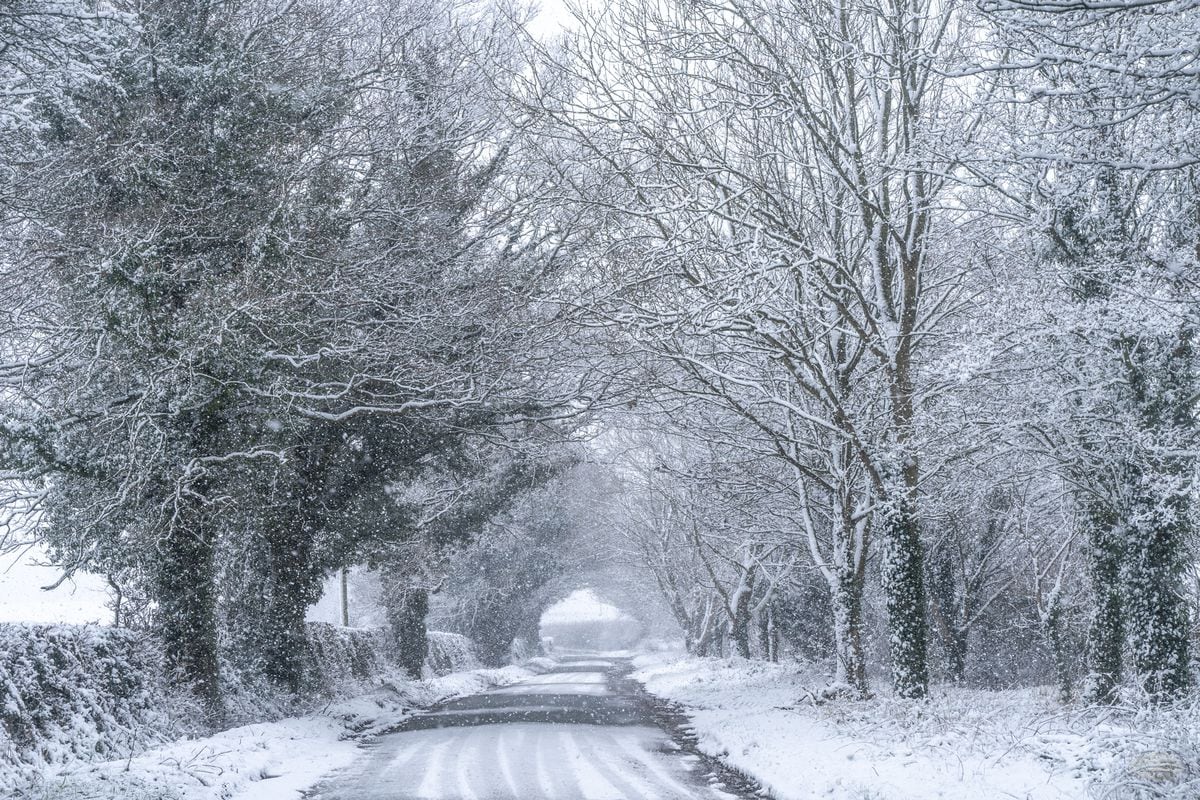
(274, 761)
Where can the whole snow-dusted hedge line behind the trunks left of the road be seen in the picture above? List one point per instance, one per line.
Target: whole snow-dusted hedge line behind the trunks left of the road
(88, 693)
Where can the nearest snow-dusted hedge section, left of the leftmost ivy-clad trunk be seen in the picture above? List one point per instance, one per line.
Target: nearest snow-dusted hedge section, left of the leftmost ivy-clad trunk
(79, 691)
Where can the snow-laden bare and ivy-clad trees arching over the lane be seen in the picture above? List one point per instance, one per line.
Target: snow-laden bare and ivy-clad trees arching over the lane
(889, 366)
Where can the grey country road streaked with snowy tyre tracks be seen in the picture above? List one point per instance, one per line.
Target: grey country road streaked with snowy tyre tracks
(579, 733)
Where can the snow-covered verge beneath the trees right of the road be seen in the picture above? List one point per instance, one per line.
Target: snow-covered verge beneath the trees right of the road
(961, 745)
